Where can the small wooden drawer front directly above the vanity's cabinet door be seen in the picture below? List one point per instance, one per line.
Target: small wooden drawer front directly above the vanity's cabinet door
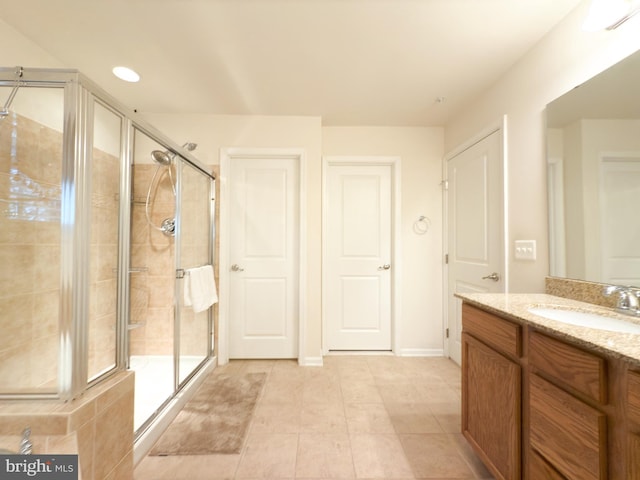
(502, 334)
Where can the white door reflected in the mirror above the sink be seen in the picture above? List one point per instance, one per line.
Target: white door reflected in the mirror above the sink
(619, 200)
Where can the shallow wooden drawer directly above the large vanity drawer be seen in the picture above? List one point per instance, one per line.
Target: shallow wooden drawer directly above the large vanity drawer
(571, 366)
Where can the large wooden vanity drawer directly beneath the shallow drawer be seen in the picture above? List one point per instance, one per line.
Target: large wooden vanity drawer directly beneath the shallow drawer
(568, 433)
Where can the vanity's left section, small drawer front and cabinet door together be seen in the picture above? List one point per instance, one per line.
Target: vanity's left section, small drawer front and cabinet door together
(492, 391)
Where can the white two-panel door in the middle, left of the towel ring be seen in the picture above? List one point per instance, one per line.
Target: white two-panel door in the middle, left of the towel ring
(358, 257)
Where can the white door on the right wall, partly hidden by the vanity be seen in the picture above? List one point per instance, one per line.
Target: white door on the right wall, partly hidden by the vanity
(474, 228)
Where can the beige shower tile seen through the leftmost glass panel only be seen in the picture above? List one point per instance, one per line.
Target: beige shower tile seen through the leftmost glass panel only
(30, 171)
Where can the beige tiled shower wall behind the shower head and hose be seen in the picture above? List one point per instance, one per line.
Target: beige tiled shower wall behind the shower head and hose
(153, 264)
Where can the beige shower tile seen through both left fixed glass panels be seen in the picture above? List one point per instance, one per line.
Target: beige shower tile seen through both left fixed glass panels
(30, 195)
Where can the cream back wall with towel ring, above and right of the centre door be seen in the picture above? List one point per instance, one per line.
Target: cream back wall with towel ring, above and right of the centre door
(420, 149)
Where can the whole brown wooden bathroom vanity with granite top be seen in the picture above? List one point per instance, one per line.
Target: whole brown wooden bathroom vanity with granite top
(545, 399)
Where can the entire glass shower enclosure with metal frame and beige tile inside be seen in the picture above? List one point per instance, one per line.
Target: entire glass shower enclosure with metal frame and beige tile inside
(102, 215)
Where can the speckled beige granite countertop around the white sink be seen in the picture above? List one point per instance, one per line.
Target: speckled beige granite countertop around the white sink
(515, 306)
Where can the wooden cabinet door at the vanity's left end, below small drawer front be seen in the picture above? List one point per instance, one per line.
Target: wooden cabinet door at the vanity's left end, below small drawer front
(491, 406)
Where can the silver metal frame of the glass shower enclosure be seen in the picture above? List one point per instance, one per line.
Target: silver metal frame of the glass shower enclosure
(80, 93)
